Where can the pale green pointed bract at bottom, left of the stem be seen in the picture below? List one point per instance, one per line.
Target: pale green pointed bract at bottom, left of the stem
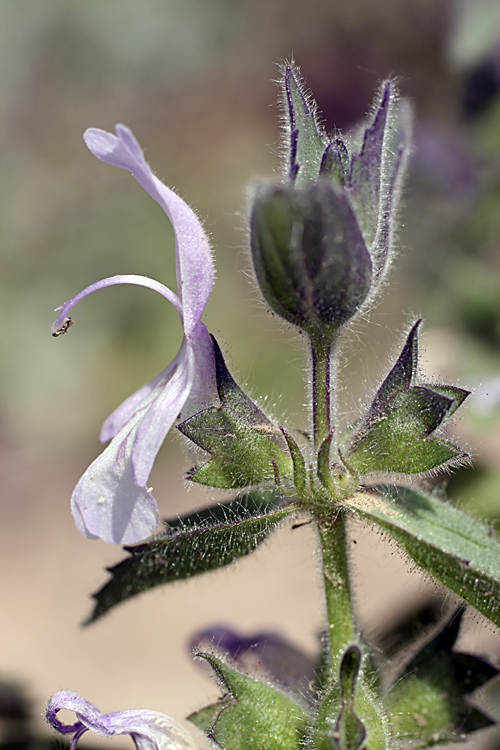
(251, 715)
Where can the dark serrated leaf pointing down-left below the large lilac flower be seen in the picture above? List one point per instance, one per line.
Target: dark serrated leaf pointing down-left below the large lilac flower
(194, 544)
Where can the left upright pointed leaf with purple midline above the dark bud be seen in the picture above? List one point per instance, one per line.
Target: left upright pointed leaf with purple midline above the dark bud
(307, 141)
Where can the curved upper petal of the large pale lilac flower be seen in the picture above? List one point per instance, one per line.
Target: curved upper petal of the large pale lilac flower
(195, 272)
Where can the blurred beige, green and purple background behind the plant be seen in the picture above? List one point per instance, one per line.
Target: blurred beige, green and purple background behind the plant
(194, 80)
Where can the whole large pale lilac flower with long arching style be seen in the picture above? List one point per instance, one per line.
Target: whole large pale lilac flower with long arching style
(112, 501)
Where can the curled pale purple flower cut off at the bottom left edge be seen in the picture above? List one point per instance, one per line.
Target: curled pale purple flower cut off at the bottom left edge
(150, 730)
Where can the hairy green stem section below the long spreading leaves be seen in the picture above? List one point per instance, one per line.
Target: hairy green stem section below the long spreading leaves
(341, 626)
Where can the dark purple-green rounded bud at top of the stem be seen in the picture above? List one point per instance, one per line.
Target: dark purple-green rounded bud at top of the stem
(310, 258)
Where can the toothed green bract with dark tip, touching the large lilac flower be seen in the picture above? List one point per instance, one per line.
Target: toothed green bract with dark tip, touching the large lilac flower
(244, 445)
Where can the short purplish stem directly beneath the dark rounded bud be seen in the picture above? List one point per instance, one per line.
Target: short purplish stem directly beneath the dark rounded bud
(320, 361)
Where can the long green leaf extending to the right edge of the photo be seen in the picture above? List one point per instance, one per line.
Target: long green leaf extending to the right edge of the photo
(454, 548)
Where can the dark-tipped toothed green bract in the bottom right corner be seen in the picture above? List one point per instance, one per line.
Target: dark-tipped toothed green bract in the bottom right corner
(428, 699)
